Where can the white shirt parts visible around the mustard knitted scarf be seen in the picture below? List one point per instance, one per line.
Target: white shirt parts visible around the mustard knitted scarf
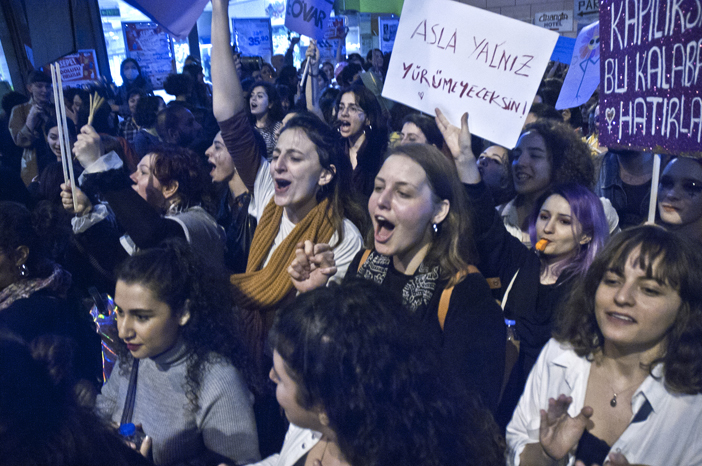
(264, 189)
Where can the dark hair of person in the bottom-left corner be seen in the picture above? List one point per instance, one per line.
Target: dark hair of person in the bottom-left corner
(40, 418)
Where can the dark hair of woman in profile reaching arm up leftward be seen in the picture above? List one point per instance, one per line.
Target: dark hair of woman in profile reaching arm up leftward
(176, 164)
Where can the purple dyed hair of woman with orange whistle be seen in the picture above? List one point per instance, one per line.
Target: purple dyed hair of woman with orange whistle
(587, 208)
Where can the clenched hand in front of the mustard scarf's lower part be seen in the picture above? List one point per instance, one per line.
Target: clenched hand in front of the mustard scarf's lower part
(312, 267)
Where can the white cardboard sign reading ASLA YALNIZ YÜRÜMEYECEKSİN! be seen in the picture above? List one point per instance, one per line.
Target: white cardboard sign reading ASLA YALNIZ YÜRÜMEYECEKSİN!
(463, 59)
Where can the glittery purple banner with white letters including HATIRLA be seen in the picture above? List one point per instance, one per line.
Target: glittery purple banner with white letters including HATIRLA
(651, 75)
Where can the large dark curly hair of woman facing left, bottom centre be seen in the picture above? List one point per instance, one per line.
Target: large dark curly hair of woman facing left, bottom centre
(358, 356)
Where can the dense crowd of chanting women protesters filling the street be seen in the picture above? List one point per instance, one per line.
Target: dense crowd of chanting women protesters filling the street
(306, 274)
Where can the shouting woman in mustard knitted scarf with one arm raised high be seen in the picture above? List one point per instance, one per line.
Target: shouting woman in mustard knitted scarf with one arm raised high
(300, 195)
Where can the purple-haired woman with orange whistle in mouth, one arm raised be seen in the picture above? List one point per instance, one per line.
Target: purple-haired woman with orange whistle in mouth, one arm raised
(567, 220)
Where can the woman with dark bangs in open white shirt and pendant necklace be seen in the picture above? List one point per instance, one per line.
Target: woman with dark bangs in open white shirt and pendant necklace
(620, 382)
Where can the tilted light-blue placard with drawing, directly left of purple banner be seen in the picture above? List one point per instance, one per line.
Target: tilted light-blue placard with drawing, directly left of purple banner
(584, 72)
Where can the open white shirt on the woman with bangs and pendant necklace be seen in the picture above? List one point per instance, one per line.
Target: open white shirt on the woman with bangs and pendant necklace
(670, 435)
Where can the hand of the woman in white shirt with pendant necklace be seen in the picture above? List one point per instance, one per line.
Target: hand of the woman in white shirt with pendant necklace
(559, 432)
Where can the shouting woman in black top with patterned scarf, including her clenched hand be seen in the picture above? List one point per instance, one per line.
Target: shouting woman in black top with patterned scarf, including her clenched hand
(421, 256)
